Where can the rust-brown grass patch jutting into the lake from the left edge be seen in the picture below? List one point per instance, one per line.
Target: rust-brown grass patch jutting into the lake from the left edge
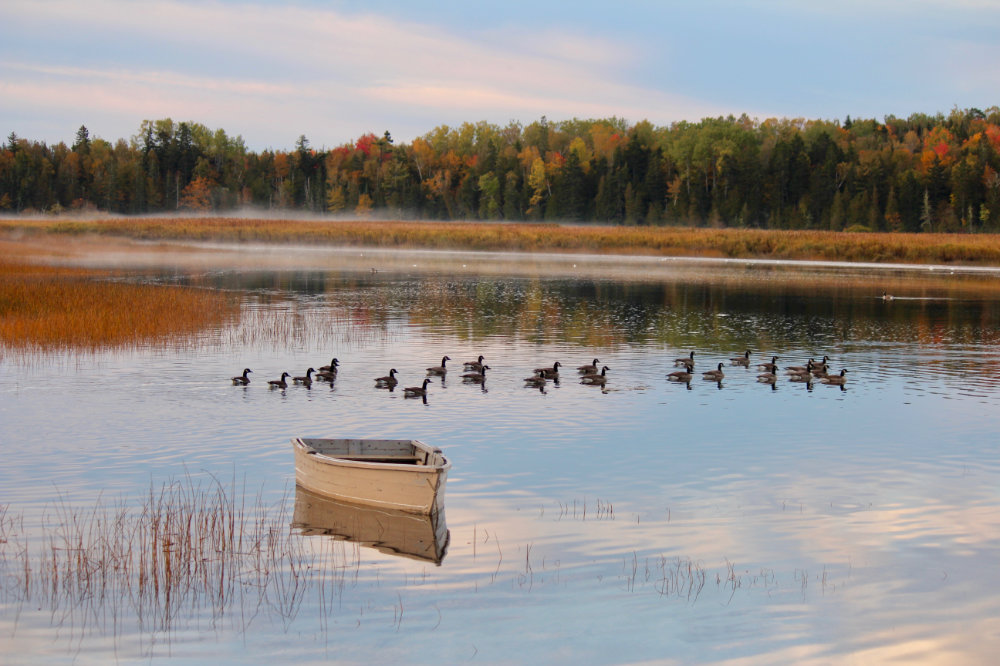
(46, 308)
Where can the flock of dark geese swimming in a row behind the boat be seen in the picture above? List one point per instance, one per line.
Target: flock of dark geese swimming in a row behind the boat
(592, 374)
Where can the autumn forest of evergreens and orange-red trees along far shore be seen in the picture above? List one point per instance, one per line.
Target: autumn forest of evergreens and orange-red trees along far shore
(937, 173)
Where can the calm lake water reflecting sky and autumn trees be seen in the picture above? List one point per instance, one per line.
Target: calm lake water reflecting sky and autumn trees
(732, 522)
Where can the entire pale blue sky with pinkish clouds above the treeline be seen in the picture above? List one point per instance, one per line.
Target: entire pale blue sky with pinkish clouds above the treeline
(332, 71)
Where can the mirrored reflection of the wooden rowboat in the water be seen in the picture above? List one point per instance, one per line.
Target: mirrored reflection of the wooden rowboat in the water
(417, 536)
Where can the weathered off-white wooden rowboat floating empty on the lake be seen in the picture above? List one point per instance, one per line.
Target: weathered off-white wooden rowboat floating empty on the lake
(402, 474)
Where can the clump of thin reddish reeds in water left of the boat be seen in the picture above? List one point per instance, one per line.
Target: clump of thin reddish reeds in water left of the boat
(188, 550)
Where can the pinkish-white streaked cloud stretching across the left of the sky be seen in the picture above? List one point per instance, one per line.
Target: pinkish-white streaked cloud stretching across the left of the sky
(281, 71)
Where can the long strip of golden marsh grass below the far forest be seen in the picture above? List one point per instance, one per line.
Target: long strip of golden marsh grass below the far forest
(971, 249)
